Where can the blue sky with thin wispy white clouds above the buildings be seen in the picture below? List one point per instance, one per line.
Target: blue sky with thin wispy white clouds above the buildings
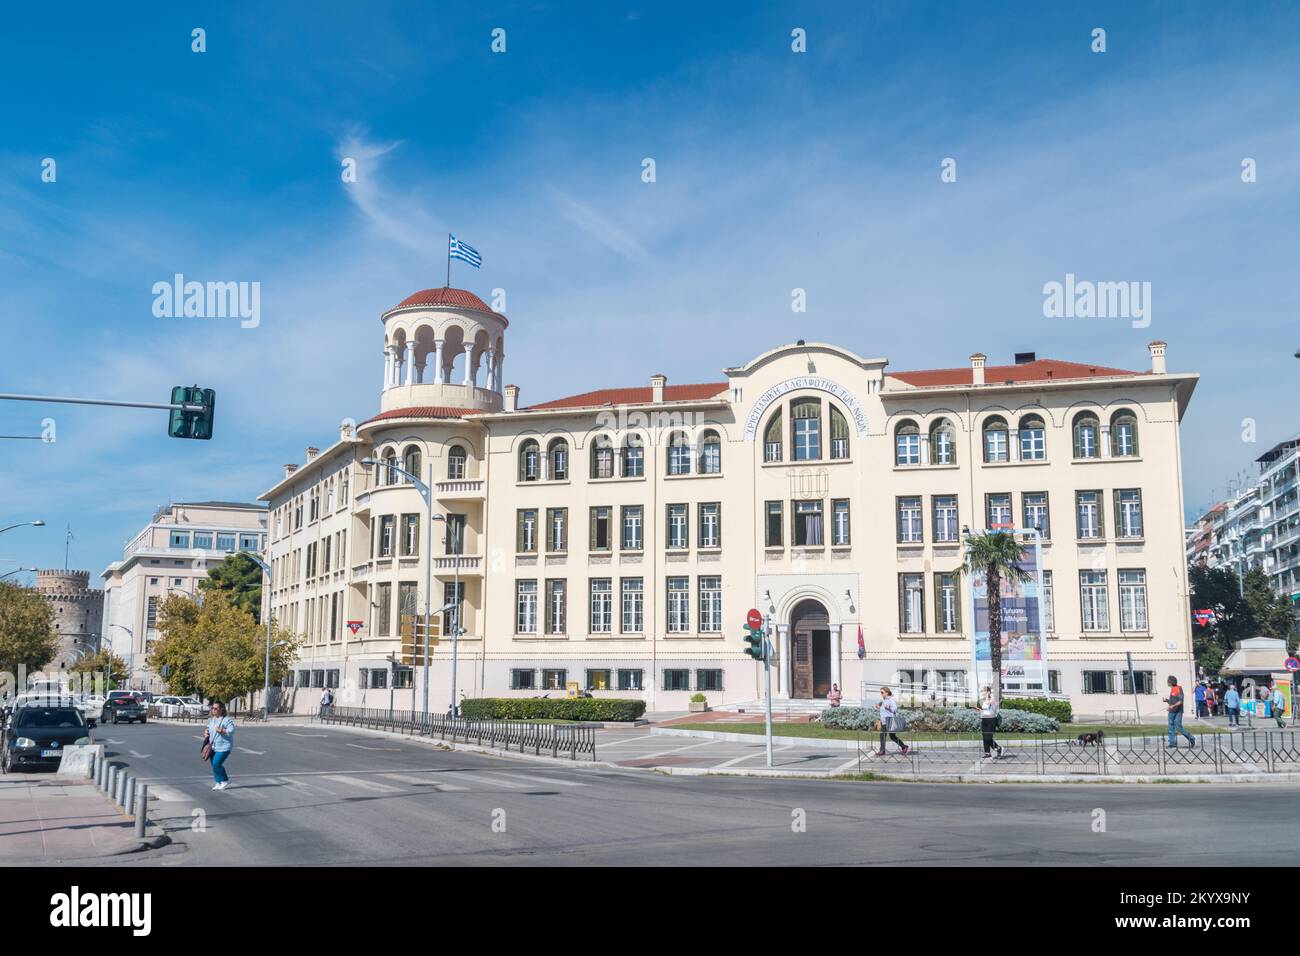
(775, 171)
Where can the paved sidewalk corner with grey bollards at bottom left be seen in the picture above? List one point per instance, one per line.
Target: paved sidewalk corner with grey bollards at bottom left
(45, 820)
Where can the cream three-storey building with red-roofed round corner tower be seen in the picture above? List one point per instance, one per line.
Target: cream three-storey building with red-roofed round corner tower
(616, 539)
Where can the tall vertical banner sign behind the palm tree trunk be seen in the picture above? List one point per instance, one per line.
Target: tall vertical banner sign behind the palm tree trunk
(1025, 664)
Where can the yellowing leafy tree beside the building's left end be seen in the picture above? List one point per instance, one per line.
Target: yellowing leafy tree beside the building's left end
(216, 650)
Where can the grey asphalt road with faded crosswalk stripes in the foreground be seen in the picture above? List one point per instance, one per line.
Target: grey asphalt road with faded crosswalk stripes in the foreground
(332, 797)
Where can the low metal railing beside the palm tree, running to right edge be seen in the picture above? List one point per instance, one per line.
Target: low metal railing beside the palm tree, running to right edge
(1241, 752)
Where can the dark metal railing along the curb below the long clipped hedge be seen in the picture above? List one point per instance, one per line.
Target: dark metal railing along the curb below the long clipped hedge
(573, 741)
